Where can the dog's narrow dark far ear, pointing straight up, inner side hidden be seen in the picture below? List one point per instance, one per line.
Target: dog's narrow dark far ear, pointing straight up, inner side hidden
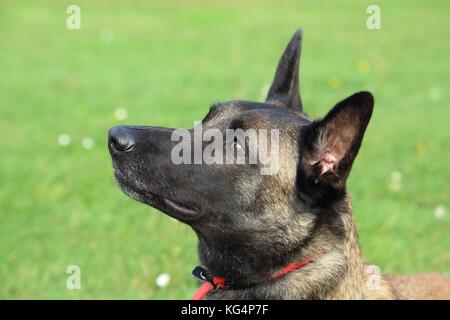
(284, 90)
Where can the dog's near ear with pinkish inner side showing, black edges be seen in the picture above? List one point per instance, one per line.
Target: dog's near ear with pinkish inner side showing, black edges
(330, 145)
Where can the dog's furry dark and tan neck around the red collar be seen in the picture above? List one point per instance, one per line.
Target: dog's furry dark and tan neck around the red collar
(338, 273)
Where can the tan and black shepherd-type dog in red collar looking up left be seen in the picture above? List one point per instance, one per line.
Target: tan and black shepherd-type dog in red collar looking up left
(286, 235)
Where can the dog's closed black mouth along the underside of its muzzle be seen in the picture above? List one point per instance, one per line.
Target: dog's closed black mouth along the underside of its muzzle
(176, 209)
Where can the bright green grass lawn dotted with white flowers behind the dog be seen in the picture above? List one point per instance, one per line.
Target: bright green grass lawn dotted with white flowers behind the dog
(167, 62)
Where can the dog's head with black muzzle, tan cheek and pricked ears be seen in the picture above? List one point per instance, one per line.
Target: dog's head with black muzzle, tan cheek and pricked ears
(239, 202)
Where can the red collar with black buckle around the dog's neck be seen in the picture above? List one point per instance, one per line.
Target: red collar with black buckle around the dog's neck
(212, 283)
